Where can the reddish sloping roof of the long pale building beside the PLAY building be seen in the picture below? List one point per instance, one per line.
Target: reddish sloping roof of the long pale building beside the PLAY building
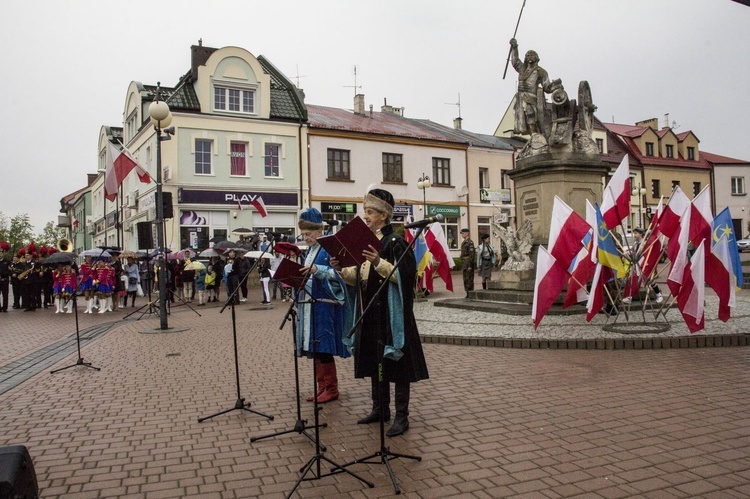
(376, 123)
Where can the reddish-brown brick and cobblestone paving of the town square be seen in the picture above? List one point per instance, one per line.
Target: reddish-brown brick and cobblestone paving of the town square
(490, 422)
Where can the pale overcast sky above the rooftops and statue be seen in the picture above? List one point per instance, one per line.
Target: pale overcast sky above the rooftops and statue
(67, 66)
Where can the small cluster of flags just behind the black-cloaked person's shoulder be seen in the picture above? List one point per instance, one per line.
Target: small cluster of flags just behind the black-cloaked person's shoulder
(430, 249)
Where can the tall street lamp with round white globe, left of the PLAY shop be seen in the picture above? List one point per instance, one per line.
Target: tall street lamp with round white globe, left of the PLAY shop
(161, 117)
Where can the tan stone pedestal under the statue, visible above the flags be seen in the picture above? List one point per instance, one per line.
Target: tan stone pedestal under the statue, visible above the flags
(573, 177)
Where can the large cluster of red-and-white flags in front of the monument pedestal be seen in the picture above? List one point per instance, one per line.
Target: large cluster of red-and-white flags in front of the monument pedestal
(584, 254)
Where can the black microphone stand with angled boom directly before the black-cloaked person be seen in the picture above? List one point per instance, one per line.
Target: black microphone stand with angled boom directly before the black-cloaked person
(384, 455)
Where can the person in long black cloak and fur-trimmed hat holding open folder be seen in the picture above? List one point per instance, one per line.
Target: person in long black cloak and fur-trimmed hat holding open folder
(390, 319)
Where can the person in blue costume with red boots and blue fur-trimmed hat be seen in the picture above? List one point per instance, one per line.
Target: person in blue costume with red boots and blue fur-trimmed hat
(322, 320)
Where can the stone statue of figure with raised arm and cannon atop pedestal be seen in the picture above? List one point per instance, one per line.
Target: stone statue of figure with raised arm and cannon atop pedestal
(551, 126)
